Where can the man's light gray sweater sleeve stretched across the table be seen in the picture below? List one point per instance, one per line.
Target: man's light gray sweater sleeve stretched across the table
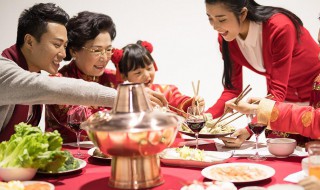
(18, 86)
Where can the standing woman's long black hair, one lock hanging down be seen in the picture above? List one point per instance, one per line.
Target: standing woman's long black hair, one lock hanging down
(256, 13)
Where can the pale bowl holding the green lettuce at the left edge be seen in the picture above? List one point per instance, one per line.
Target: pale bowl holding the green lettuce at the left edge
(22, 174)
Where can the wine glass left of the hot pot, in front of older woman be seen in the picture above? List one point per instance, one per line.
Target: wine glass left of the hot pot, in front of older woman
(77, 115)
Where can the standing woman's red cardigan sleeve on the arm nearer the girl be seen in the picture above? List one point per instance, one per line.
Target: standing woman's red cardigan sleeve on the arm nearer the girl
(217, 109)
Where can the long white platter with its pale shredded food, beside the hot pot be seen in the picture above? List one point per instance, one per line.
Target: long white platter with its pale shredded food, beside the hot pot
(190, 157)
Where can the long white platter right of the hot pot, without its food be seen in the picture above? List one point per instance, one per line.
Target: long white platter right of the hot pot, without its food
(169, 156)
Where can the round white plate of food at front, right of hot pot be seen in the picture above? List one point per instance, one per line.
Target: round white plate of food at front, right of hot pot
(239, 171)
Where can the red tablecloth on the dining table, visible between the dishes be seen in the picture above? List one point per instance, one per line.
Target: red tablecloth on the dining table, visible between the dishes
(96, 173)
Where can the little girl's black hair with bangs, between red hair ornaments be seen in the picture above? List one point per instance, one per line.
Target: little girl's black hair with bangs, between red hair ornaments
(134, 56)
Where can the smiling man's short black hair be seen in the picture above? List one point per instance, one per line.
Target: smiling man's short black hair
(34, 20)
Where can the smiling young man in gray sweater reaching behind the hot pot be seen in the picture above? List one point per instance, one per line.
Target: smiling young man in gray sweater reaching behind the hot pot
(40, 45)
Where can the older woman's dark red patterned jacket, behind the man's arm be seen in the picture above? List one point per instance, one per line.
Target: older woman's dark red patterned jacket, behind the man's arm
(56, 115)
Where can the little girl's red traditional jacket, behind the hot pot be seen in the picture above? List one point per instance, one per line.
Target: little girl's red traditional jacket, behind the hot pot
(173, 96)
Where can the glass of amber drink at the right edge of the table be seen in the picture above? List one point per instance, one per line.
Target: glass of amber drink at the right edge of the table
(314, 160)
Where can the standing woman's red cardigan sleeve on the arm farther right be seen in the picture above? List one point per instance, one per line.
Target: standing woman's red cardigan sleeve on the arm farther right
(280, 34)
